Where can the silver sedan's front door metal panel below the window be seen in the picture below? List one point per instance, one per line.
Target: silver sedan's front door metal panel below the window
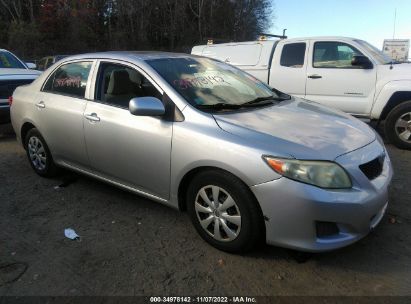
(134, 150)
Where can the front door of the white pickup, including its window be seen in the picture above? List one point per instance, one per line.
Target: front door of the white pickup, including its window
(333, 81)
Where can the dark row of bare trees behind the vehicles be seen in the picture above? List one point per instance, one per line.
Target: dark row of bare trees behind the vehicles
(36, 28)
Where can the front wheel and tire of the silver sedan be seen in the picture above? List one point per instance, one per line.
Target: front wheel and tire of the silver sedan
(244, 219)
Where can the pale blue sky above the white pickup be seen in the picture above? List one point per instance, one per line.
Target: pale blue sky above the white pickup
(371, 20)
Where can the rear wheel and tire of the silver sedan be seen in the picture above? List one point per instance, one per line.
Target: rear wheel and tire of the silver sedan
(39, 155)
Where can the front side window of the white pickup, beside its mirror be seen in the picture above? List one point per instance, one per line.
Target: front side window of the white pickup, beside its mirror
(334, 55)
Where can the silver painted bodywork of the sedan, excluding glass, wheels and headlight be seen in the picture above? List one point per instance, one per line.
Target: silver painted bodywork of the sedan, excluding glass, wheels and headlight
(151, 156)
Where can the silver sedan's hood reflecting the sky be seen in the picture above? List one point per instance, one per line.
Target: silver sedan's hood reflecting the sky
(300, 129)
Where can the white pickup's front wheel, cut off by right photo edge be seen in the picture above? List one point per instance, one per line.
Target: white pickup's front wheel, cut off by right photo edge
(398, 126)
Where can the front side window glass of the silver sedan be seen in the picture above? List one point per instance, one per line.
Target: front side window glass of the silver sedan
(117, 84)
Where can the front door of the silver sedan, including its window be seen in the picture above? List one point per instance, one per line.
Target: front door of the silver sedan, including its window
(132, 150)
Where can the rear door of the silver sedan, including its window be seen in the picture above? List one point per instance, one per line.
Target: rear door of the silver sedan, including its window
(59, 109)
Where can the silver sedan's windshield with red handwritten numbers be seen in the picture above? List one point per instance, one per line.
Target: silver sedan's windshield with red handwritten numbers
(204, 82)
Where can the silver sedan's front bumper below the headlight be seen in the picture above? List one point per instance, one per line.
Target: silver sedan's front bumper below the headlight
(293, 209)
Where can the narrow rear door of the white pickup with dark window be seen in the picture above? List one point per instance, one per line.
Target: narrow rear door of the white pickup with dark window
(288, 68)
